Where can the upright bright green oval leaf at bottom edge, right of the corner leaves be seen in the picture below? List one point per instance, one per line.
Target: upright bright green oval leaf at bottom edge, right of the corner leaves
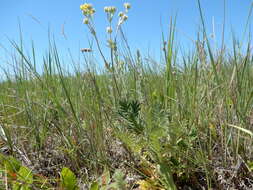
(68, 179)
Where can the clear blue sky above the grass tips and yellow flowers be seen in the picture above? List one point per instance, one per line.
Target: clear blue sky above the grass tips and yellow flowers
(143, 29)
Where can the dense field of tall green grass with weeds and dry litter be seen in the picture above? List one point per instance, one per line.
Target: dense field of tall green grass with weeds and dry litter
(182, 123)
